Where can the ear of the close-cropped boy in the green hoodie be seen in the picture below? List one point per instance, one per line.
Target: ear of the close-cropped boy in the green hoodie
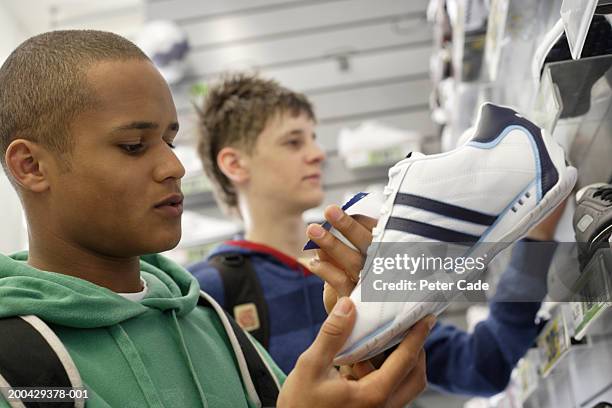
(24, 160)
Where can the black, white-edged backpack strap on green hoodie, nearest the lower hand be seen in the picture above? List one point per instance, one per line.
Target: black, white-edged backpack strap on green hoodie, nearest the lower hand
(260, 382)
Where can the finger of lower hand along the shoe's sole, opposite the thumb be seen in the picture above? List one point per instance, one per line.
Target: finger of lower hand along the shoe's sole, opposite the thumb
(403, 360)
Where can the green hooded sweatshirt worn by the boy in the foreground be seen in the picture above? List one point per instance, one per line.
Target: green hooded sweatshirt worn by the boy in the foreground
(160, 352)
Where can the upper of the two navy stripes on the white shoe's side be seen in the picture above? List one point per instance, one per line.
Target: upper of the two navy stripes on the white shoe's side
(448, 210)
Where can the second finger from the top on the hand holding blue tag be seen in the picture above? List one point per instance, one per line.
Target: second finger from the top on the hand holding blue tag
(344, 257)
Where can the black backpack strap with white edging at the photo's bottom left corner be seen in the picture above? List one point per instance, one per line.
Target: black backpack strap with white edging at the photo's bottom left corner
(31, 355)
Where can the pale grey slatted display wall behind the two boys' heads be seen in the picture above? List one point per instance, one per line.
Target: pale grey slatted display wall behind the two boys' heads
(300, 43)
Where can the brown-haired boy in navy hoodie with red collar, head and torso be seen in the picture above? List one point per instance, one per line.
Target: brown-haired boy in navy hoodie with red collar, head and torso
(259, 151)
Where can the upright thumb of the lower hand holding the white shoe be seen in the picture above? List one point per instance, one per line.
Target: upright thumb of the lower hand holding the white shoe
(333, 334)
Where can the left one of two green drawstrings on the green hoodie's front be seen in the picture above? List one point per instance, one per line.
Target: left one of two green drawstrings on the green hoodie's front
(137, 365)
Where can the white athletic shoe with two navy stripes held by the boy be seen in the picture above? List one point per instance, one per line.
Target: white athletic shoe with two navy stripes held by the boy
(485, 195)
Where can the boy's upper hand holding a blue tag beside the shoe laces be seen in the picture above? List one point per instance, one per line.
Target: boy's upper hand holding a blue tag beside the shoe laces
(336, 263)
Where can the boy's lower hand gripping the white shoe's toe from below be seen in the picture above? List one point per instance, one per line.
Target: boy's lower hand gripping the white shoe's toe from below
(314, 382)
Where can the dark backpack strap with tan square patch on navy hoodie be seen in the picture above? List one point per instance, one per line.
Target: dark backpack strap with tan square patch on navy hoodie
(244, 297)
